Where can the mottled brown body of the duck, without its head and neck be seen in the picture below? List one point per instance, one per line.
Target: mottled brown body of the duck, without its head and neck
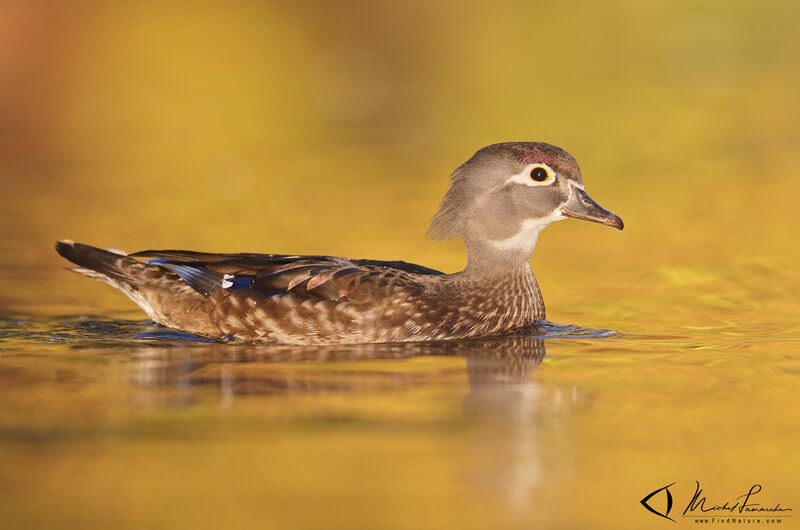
(311, 299)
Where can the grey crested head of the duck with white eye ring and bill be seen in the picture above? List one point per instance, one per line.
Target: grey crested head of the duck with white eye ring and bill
(507, 193)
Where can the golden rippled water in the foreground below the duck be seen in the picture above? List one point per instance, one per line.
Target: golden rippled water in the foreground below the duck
(119, 423)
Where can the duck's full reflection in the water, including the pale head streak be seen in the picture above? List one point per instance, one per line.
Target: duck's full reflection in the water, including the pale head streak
(501, 411)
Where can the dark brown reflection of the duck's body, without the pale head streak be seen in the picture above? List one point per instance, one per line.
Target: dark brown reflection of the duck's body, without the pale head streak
(504, 362)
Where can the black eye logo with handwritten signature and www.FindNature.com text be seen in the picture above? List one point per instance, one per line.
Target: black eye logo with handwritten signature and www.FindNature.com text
(742, 509)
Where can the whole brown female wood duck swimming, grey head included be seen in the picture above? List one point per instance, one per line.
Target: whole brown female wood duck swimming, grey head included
(498, 202)
